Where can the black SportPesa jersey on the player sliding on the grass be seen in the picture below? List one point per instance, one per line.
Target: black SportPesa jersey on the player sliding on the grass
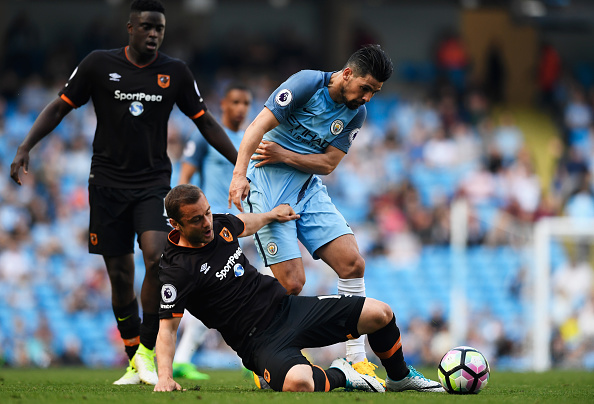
(218, 285)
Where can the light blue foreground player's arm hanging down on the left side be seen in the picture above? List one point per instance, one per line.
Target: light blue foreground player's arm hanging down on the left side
(239, 187)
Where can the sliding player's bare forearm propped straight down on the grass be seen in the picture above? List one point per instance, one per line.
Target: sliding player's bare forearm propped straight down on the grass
(165, 350)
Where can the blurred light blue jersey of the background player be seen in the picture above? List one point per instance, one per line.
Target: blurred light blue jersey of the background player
(215, 170)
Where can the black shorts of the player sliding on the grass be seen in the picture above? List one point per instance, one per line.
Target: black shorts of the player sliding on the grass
(303, 322)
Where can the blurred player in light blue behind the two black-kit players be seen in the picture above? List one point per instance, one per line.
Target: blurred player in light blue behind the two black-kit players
(215, 176)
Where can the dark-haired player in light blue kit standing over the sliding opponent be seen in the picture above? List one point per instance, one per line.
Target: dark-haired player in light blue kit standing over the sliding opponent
(305, 129)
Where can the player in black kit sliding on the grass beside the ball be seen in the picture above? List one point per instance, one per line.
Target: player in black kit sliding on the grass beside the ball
(204, 271)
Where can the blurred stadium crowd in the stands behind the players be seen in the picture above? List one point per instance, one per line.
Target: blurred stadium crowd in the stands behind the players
(439, 139)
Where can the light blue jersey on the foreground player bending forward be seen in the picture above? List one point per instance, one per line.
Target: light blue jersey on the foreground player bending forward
(310, 121)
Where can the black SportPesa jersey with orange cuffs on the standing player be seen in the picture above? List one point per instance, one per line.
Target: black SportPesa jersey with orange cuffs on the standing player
(133, 104)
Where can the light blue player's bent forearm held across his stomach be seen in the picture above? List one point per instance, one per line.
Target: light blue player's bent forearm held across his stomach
(323, 163)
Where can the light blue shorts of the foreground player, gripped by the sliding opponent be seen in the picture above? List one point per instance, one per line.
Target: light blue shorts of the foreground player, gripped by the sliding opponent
(320, 221)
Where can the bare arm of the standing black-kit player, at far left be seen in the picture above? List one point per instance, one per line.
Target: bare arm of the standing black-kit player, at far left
(47, 120)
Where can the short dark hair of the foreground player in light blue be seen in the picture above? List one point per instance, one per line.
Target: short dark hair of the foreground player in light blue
(371, 59)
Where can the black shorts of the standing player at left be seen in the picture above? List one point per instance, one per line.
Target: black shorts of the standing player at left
(118, 214)
